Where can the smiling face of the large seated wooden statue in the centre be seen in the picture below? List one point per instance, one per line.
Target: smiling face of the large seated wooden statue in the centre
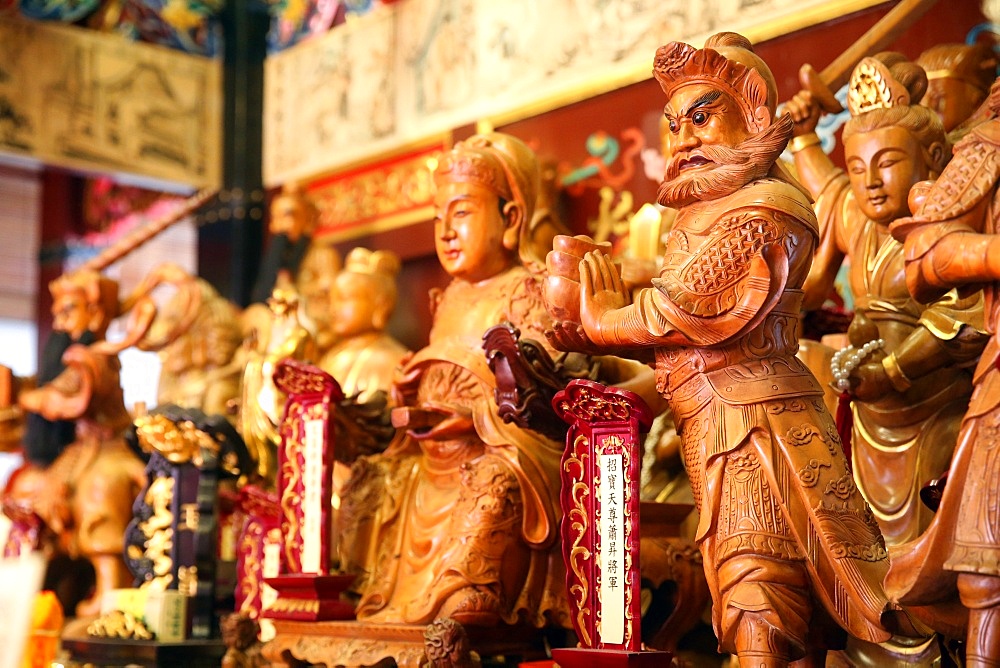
(469, 232)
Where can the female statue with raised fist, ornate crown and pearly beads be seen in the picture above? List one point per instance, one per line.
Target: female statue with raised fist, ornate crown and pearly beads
(907, 371)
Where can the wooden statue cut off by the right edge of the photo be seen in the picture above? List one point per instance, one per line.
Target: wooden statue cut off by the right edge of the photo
(952, 241)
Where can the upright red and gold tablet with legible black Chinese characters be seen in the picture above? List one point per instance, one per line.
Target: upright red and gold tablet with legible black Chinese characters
(600, 526)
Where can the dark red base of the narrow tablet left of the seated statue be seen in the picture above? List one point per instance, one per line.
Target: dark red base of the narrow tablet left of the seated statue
(309, 598)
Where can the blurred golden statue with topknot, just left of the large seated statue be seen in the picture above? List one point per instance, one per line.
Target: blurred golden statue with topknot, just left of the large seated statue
(363, 296)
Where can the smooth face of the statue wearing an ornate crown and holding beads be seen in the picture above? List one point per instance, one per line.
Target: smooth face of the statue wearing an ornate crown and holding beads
(883, 165)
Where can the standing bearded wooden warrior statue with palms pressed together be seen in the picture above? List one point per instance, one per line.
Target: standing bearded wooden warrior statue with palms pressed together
(793, 554)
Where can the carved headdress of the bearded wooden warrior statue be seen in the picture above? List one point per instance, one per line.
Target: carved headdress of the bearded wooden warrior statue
(727, 62)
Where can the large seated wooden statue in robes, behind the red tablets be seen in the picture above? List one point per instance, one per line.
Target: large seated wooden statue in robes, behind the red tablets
(465, 526)
